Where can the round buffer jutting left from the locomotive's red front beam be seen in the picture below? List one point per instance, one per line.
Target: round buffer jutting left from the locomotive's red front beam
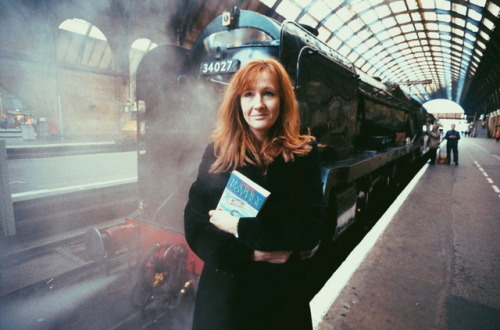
(105, 243)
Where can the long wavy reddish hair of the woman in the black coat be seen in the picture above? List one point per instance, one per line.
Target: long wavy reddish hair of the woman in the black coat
(234, 143)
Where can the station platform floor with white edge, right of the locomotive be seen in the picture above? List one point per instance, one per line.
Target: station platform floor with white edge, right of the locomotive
(431, 263)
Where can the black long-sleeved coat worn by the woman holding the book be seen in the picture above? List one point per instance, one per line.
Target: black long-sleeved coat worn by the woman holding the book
(235, 292)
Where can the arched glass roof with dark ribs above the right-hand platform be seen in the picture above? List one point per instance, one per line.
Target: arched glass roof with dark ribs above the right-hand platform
(432, 48)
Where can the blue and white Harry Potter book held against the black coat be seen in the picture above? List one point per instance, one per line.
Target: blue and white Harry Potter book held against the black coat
(242, 197)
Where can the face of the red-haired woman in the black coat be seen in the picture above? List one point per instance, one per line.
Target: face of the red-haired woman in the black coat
(261, 105)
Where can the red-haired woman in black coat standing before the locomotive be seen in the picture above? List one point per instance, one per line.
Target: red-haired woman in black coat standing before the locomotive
(253, 275)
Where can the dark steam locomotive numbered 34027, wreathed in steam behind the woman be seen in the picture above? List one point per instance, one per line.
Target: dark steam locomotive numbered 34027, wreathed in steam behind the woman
(369, 134)
